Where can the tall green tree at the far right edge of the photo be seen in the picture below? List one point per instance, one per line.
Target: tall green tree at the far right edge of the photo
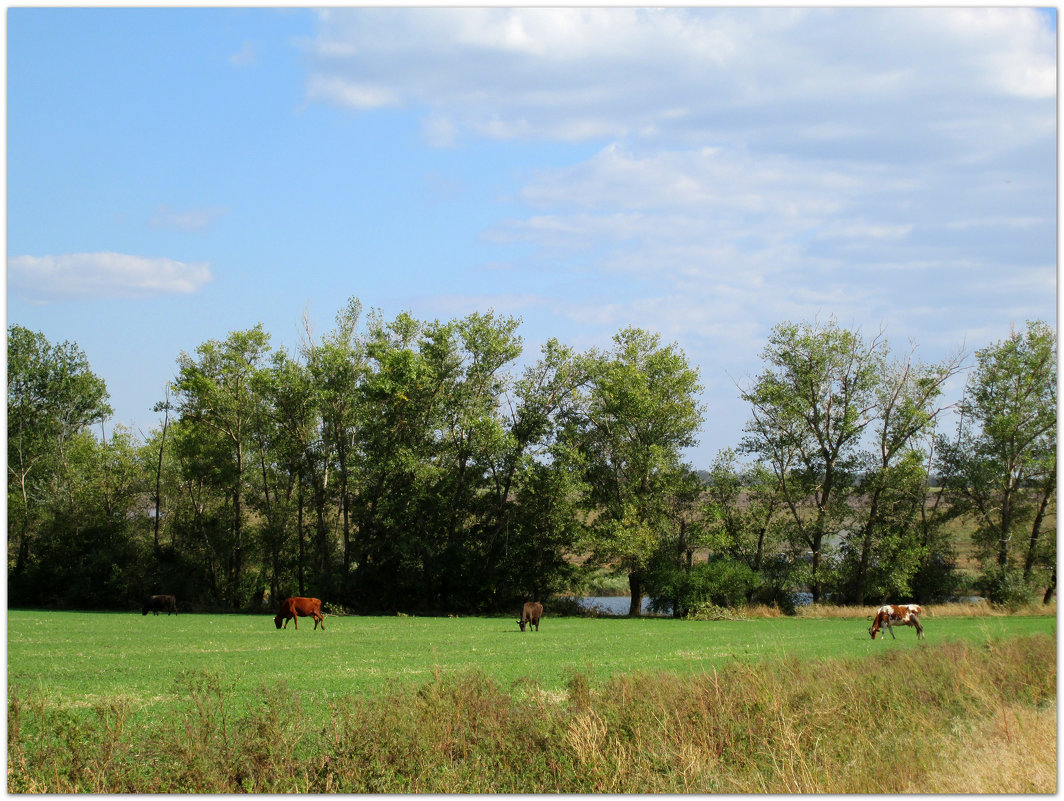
(1004, 462)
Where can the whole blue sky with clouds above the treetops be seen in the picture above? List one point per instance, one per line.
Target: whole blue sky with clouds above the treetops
(178, 174)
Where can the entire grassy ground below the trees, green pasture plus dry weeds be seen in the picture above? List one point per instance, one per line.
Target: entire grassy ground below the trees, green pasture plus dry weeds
(118, 704)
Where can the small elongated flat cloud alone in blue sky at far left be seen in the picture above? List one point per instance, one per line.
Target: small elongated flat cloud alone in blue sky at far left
(42, 279)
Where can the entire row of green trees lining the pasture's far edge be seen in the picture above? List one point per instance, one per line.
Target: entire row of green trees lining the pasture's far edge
(411, 466)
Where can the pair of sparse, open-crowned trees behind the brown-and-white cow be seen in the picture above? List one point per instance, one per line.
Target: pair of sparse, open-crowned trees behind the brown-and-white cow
(840, 421)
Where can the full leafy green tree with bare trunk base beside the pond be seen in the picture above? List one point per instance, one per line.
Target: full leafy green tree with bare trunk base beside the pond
(641, 412)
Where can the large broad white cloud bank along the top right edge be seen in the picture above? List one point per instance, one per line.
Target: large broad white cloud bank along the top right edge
(684, 75)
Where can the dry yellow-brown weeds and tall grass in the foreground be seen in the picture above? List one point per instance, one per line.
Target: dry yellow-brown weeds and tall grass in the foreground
(785, 727)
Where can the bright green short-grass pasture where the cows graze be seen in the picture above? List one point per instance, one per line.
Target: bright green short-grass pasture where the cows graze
(77, 660)
